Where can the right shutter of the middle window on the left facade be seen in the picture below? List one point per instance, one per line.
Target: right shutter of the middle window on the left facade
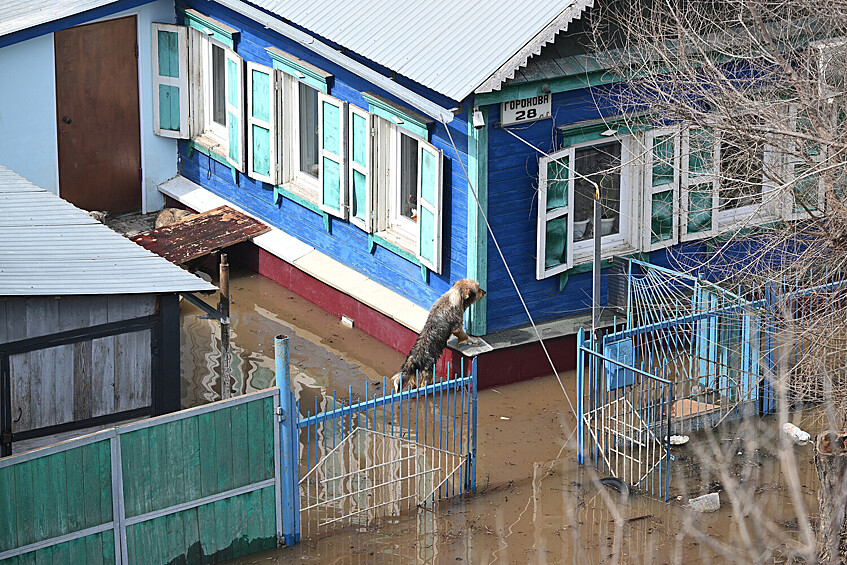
(332, 159)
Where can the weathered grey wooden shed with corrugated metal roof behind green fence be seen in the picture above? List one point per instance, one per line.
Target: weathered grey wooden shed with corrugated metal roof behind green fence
(89, 320)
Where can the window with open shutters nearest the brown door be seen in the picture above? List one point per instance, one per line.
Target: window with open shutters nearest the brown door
(207, 109)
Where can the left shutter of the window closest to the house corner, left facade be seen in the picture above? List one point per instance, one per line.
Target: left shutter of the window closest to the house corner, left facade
(360, 167)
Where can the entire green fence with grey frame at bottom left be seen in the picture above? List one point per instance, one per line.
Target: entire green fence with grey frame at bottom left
(201, 484)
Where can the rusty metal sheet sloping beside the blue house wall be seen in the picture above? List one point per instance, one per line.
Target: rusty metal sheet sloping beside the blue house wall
(201, 234)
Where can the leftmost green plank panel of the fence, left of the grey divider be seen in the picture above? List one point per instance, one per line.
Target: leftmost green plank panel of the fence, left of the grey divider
(54, 495)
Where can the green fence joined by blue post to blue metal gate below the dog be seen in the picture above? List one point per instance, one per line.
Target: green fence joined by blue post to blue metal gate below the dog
(223, 480)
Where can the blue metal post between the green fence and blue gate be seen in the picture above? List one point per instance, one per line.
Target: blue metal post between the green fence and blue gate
(290, 453)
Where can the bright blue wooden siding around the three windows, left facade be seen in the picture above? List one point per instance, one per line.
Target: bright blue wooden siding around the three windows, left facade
(344, 242)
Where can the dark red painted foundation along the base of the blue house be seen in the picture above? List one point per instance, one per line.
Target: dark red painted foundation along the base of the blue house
(495, 368)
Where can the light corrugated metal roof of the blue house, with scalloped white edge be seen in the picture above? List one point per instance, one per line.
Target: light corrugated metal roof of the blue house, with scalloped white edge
(452, 47)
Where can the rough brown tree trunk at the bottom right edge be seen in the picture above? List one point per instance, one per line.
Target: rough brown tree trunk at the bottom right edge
(831, 464)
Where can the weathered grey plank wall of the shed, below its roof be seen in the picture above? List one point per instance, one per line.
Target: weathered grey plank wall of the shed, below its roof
(56, 385)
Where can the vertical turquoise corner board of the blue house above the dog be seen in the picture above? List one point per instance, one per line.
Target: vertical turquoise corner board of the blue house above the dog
(477, 252)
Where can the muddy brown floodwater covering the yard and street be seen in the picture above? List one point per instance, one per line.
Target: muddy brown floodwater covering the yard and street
(534, 503)
